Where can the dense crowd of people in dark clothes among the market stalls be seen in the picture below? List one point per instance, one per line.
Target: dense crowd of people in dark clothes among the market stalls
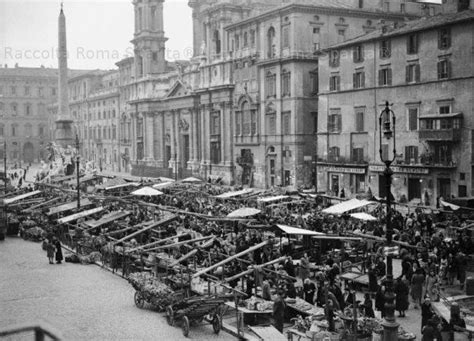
(431, 258)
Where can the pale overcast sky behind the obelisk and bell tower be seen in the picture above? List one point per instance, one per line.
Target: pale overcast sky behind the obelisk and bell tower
(98, 32)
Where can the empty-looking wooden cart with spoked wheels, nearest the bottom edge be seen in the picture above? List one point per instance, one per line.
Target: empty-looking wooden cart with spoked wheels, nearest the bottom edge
(196, 310)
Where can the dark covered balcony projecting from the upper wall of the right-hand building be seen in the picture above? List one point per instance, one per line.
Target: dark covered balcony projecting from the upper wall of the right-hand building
(441, 128)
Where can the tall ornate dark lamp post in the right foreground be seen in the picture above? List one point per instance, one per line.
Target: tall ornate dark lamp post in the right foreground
(387, 128)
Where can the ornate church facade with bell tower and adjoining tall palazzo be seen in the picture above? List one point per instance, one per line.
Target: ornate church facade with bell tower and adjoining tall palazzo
(244, 109)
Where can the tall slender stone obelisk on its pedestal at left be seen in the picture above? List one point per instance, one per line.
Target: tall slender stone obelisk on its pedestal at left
(64, 133)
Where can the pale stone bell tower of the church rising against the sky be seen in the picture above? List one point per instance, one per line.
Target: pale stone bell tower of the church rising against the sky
(149, 38)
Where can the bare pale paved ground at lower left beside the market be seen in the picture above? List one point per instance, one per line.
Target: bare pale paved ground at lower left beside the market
(84, 302)
